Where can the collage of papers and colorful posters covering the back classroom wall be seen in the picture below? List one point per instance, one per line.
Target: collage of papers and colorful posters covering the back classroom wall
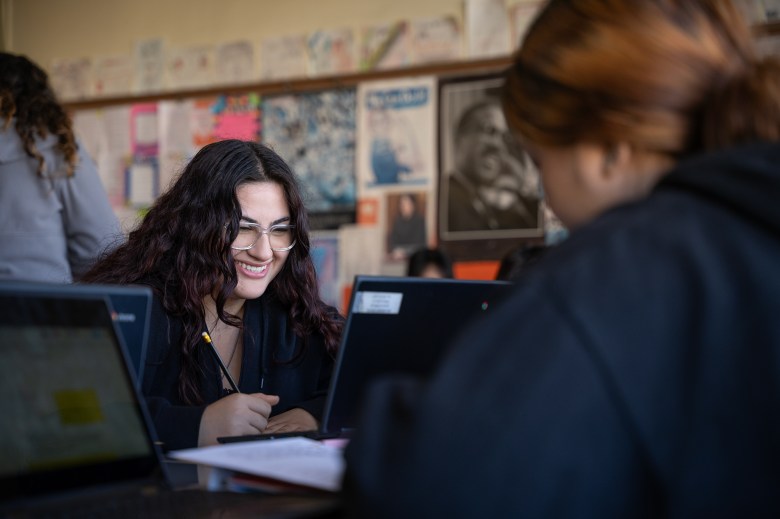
(358, 149)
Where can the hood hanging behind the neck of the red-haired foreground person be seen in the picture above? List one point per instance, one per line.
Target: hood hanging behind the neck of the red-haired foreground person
(744, 179)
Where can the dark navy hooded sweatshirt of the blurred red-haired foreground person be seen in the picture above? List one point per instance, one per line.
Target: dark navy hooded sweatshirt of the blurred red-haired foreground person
(634, 372)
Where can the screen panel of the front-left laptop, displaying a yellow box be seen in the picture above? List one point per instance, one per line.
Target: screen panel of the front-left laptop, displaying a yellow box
(71, 415)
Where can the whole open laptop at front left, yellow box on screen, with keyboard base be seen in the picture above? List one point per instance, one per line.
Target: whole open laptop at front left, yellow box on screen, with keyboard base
(74, 432)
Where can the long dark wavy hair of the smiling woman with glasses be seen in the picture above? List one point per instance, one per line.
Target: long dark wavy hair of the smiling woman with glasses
(181, 249)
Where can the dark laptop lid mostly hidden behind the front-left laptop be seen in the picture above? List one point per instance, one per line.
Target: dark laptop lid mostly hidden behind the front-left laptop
(130, 305)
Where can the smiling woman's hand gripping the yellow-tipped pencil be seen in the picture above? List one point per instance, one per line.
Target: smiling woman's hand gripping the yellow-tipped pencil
(235, 415)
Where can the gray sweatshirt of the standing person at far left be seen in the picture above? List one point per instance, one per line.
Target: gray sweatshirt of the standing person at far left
(53, 228)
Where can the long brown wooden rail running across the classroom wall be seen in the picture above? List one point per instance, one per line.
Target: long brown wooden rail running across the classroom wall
(298, 85)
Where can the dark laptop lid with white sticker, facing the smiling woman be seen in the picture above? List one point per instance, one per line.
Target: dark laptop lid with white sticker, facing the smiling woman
(399, 325)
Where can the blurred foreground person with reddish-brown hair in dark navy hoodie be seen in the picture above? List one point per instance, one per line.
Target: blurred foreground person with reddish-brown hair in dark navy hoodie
(635, 372)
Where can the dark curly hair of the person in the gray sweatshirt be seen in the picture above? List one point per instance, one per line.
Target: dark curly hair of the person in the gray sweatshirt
(25, 94)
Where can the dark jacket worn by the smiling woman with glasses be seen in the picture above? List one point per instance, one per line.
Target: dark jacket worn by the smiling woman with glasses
(298, 371)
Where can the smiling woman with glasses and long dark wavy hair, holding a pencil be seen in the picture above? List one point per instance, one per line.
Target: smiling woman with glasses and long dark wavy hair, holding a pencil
(226, 251)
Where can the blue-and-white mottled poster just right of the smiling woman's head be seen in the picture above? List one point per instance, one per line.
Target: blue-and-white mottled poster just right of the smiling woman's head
(315, 134)
